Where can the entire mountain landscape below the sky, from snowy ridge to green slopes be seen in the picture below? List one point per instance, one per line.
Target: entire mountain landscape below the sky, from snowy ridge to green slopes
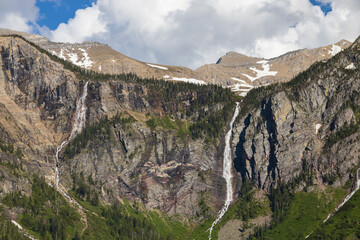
(97, 145)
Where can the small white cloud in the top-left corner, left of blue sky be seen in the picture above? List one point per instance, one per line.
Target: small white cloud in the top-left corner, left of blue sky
(18, 15)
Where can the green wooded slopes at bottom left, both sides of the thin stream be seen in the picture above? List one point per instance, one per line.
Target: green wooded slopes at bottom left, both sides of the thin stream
(46, 215)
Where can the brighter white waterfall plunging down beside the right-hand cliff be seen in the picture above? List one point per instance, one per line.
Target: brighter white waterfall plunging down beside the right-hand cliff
(227, 170)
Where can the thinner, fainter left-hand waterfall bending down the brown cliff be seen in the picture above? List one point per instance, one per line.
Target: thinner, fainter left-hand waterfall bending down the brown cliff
(79, 123)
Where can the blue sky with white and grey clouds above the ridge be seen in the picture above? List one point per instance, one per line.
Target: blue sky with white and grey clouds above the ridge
(188, 32)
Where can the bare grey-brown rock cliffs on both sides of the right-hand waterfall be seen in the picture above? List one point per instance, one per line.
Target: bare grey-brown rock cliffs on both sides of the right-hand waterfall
(307, 127)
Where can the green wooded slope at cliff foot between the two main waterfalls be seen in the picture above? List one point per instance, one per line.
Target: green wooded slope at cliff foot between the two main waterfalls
(121, 220)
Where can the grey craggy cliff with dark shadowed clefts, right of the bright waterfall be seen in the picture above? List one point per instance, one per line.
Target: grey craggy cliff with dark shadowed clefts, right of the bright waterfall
(308, 126)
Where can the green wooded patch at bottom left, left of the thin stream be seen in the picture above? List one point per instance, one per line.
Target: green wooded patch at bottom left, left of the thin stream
(45, 213)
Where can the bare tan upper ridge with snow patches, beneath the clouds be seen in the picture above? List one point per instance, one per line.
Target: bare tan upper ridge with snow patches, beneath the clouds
(234, 70)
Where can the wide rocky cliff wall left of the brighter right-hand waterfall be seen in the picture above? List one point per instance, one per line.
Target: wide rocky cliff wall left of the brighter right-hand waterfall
(173, 170)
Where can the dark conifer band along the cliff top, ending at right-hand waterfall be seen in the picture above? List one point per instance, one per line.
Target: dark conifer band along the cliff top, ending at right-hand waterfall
(169, 95)
